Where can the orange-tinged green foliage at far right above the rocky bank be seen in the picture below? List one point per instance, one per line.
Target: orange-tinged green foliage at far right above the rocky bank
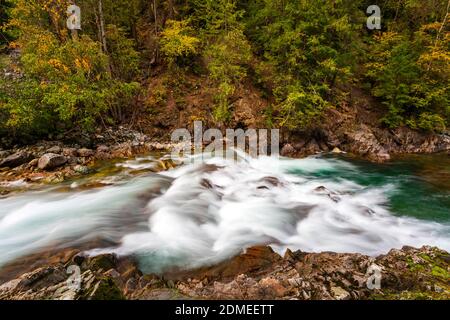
(411, 77)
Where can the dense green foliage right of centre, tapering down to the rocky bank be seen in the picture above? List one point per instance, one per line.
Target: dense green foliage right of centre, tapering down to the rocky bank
(310, 46)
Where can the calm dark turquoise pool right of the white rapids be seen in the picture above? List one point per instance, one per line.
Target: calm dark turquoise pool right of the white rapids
(420, 183)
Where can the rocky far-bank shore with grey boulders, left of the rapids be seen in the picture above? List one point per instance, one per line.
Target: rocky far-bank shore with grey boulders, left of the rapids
(51, 162)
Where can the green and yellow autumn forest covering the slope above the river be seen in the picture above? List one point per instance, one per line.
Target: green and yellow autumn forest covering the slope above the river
(301, 55)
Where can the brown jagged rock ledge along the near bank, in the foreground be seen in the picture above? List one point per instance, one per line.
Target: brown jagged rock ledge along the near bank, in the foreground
(259, 273)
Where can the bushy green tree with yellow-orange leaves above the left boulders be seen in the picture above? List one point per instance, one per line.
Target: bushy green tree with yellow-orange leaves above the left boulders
(66, 84)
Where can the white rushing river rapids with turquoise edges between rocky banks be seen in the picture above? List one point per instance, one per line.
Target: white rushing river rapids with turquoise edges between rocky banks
(200, 214)
